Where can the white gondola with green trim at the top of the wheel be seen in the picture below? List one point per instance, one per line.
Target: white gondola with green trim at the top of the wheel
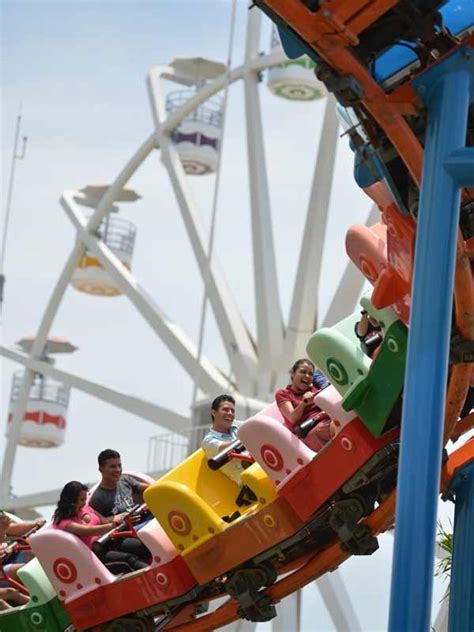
(294, 79)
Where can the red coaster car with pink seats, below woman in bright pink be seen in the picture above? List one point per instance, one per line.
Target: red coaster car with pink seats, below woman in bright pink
(92, 595)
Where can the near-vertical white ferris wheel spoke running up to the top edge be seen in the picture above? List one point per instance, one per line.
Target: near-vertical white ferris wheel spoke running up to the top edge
(267, 300)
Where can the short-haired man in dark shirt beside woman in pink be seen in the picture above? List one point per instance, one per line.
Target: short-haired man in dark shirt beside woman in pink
(114, 494)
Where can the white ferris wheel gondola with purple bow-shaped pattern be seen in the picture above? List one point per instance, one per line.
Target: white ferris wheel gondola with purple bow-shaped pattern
(198, 137)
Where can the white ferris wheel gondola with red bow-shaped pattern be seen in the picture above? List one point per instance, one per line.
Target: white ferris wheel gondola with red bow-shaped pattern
(44, 421)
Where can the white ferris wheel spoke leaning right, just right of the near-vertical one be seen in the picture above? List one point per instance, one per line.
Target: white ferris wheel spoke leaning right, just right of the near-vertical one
(304, 306)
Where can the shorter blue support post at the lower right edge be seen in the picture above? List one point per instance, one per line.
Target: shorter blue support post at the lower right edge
(461, 590)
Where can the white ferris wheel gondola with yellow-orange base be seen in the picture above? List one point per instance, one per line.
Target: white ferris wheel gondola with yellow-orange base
(89, 276)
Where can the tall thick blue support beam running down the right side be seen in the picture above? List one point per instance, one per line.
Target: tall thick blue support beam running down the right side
(446, 90)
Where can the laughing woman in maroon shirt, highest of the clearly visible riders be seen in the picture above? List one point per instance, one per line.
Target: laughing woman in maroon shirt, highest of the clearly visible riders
(296, 404)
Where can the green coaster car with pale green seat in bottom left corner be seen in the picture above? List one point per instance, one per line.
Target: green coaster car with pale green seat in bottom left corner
(43, 612)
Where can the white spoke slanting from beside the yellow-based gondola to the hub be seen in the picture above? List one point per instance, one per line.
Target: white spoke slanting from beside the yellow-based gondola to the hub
(207, 376)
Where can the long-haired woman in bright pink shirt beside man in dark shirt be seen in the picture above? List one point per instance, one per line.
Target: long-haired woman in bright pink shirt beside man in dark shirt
(75, 516)
